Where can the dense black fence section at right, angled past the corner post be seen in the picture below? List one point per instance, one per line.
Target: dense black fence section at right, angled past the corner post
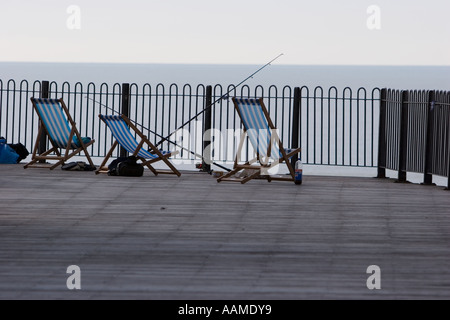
(414, 133)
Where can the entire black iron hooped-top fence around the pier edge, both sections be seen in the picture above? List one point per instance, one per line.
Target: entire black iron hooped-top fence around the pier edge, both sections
(405, 131)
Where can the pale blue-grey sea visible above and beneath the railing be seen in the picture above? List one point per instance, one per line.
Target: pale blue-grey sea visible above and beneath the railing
(325, 76)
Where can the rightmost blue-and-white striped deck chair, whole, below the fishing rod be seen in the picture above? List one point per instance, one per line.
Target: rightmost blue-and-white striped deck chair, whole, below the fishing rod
(264, 139)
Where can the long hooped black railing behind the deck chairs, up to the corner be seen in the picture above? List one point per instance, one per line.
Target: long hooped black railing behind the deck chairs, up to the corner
(333, 127)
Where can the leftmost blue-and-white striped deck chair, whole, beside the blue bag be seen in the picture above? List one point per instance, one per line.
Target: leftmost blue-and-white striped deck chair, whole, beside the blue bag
(64, 137)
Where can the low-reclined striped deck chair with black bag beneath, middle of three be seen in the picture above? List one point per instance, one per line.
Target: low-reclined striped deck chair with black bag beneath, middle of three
(121, 129)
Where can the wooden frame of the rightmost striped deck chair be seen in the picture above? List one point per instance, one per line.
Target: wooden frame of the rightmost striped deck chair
(260, 165)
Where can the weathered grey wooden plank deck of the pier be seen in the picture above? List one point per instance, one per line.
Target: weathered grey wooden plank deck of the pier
(191, 238)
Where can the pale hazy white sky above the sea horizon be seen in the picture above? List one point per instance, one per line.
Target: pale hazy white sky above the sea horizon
(345, 32)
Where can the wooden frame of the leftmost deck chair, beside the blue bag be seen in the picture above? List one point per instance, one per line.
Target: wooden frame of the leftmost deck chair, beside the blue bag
(58, 152)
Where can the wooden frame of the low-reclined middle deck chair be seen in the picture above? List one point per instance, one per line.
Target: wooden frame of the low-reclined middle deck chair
(144, 140)
